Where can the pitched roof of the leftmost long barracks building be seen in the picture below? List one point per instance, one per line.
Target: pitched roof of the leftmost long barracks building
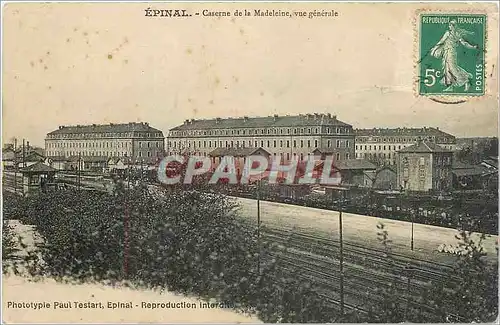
(105, 128)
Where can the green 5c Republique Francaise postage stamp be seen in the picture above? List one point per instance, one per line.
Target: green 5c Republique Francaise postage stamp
(452, 54)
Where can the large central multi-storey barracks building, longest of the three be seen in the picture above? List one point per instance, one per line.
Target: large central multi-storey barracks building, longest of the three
(282, 136)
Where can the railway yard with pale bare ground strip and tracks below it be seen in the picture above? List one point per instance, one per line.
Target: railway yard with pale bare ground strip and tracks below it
(310, 239)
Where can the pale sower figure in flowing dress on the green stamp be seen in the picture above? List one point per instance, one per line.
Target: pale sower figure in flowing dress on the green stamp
(446, 49)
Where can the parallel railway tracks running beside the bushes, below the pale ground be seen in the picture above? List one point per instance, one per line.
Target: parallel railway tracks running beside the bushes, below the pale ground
(366, 270)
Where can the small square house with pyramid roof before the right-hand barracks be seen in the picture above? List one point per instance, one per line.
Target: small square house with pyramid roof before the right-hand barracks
(425, 166)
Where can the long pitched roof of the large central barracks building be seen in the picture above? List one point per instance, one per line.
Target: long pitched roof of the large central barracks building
(263, 122)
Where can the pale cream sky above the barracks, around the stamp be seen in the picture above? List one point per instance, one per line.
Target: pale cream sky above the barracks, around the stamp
(74, 63)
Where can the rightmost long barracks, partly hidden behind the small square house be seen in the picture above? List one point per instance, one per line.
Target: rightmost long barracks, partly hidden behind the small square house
(381, 145)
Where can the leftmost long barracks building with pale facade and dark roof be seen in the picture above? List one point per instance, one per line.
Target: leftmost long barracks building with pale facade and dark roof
(138, 141)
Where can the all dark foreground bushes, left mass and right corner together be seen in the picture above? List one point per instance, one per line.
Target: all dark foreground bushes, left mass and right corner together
(194, 243)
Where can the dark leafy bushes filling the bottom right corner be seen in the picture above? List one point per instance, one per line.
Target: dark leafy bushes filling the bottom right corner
(468, 292)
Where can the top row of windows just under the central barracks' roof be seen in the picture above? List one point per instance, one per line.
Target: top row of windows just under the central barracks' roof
(328, 130)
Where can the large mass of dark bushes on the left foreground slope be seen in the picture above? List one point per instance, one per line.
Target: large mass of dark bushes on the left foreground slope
(185, 241)
